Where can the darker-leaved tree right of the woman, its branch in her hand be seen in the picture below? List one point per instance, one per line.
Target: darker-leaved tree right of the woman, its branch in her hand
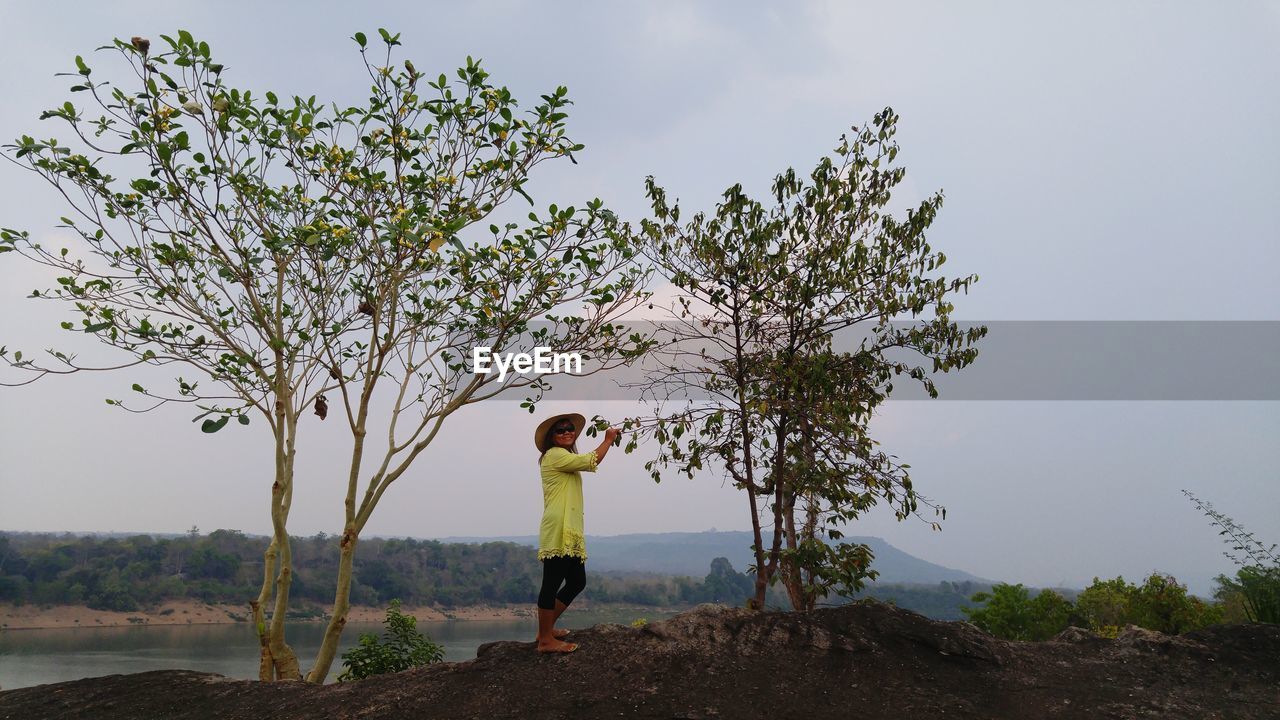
(766, 394)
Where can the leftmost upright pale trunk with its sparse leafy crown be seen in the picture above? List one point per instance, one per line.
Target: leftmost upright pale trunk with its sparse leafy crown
(205, 254)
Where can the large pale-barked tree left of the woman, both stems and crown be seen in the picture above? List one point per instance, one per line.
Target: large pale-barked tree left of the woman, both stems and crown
(290, 252)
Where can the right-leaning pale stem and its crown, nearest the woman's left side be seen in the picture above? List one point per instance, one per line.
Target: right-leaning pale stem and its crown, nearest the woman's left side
(446, 162)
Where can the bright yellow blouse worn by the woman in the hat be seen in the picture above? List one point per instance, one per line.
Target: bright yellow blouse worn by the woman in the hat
(563, 503)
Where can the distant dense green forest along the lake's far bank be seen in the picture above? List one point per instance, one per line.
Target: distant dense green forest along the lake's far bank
(134, 573)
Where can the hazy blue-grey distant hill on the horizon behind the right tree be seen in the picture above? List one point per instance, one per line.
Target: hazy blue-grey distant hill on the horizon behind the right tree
(692, 554)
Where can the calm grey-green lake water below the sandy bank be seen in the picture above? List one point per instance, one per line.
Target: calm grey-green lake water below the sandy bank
(34, 658)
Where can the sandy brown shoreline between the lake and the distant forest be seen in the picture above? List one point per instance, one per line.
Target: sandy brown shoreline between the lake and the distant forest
(196, 613)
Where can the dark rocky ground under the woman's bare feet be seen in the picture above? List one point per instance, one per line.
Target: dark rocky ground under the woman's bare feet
(866, 660)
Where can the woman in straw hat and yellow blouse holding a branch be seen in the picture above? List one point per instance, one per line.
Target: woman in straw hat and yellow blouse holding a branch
(561, 545)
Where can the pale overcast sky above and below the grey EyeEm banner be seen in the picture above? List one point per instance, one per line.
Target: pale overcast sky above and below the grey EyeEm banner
(1100, 162)
